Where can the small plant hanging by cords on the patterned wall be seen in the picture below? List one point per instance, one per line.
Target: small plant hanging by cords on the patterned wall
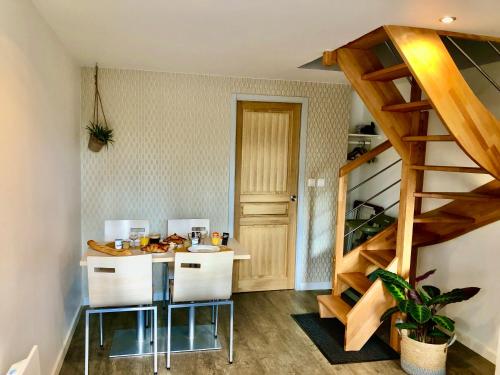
(99, 132)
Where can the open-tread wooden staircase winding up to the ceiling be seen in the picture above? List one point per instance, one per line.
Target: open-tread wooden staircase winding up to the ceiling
(436, 84)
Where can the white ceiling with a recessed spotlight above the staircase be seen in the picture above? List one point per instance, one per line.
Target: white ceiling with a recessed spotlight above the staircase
(245, 38)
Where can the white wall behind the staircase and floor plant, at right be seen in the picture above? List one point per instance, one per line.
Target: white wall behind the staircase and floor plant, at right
(472, 259)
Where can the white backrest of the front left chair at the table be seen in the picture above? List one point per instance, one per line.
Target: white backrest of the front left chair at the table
(120, 281)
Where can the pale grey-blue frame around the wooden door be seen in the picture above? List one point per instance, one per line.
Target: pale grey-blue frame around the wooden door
(301, 208)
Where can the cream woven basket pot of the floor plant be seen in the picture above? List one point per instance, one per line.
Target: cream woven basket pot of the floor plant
(418, 358)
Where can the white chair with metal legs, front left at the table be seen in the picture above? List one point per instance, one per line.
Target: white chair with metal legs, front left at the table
(118, 284)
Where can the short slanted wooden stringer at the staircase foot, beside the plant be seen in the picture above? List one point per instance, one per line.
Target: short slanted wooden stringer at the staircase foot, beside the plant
(364, 318)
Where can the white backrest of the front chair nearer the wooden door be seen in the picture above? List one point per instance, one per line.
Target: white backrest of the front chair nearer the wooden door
(202, 276)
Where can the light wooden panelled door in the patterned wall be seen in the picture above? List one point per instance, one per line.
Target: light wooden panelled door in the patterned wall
(265, 212)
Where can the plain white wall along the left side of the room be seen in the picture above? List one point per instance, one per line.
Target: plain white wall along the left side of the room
(40, 280)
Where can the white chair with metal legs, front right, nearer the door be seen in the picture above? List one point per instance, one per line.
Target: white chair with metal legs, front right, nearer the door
(201, 279)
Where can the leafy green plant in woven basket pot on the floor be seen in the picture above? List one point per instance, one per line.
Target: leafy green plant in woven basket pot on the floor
(425, 334)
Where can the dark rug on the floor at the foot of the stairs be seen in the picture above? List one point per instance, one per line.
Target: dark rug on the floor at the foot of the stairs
(328, 336)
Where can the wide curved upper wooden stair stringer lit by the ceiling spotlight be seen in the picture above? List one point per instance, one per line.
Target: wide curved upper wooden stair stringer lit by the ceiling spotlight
(474, 127)
